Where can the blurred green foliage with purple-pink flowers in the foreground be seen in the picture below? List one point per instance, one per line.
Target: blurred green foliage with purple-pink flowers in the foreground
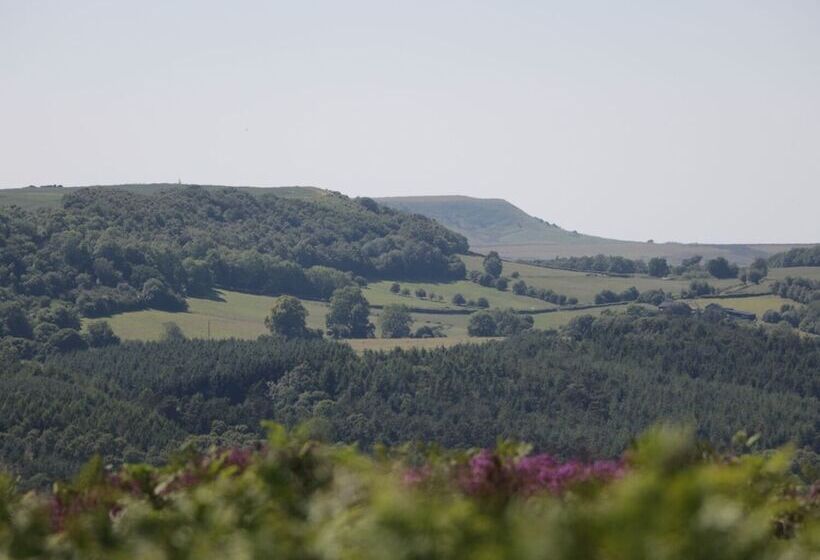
(293, 497)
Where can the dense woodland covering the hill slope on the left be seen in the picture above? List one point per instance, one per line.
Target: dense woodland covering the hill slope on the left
(108, 251)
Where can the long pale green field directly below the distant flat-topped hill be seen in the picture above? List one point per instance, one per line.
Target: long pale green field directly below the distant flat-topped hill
(585, 285)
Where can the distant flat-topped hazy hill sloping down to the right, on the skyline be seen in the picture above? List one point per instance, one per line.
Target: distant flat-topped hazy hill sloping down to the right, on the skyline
(495, 224)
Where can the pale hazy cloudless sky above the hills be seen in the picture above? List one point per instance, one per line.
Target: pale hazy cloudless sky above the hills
(690, 121)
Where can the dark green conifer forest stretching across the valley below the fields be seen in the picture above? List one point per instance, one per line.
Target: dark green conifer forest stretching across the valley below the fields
(583, 392)
